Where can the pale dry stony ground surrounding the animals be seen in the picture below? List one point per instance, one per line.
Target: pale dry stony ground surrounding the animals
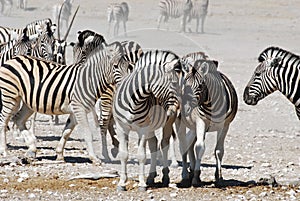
(263, 141)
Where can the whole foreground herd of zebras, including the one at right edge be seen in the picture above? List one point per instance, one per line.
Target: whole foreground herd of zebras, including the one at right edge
(142, 91)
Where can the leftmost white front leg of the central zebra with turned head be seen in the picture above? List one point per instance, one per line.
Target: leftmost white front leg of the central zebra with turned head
(123, 155)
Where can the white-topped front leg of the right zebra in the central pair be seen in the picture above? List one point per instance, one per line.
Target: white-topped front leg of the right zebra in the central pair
(199, 148)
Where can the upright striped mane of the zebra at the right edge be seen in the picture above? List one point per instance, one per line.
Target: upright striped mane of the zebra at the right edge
(272, 52)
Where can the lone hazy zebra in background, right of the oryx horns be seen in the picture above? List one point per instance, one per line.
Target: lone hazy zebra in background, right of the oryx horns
(117, 13)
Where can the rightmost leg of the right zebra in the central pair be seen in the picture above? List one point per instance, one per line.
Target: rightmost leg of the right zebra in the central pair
(219, 153)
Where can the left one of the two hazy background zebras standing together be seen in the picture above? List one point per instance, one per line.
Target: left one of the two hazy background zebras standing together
(175, 9)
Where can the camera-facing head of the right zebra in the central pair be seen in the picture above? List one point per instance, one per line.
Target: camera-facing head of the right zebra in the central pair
(195, 91)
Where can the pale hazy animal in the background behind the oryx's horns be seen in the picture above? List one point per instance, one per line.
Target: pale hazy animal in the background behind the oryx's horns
(66, 7)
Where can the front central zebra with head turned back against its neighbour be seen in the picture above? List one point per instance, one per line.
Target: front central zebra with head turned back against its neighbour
(146, 100)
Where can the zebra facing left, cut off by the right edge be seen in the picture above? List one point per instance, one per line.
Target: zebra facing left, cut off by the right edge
(278, 69)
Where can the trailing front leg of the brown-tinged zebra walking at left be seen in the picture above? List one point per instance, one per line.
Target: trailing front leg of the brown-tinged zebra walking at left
(70, 124)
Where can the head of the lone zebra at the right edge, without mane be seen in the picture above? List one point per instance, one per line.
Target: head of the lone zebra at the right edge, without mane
(263, 81)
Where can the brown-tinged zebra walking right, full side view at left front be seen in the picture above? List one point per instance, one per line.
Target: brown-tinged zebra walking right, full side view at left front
(51, 88)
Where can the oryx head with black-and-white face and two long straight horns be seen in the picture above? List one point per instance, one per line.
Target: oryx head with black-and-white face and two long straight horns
(60, 44)
